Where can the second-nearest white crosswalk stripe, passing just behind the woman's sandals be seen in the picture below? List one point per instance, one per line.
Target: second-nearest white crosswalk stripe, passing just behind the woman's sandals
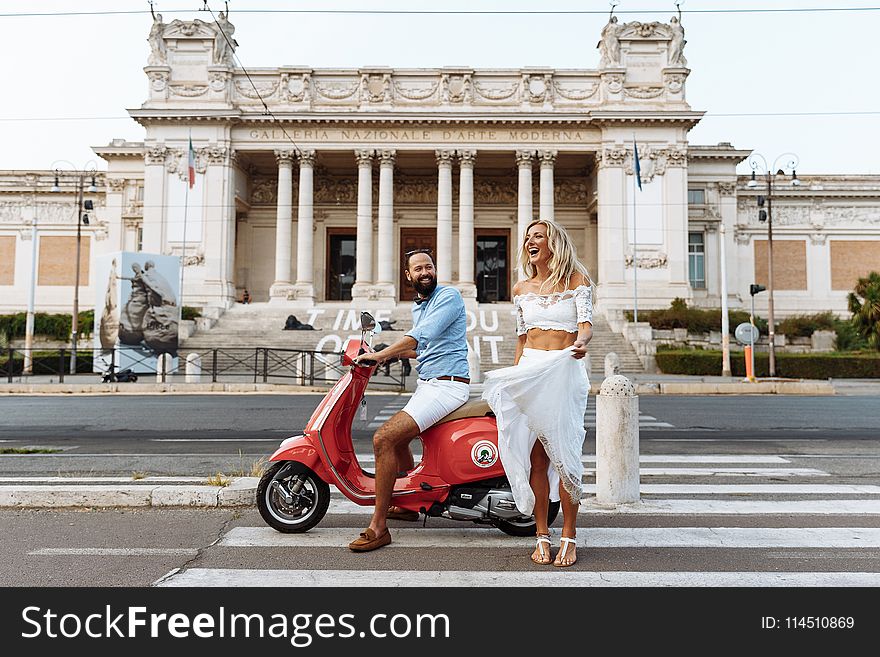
(591, 537)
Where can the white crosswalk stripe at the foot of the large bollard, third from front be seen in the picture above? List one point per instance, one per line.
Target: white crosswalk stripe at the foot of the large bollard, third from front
(654, 507)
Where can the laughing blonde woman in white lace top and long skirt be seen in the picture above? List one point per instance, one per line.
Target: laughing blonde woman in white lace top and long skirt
(540, 403)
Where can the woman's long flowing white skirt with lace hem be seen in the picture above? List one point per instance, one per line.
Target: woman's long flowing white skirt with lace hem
(543, 397)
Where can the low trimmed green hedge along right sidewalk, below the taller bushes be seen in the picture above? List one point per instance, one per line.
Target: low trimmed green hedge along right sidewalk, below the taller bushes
(798, 366)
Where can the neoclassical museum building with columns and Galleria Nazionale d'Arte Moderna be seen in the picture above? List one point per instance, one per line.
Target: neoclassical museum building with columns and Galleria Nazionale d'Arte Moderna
(310, 185)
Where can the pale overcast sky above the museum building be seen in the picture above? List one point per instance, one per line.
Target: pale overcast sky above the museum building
(67, 80)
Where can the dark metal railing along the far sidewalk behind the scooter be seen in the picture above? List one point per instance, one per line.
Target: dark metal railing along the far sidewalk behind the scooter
(204, 365)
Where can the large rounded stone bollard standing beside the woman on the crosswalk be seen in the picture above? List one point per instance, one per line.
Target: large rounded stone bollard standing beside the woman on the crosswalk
(617, 442)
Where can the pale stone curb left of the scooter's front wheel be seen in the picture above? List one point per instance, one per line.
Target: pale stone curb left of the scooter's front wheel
(240, 492)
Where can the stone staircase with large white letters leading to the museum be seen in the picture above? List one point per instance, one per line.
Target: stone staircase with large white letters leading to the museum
(491, 334)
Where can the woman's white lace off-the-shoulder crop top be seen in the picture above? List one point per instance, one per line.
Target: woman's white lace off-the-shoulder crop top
(559, 311)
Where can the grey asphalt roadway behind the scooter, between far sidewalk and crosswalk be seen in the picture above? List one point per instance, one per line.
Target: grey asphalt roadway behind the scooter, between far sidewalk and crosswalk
(202, 434)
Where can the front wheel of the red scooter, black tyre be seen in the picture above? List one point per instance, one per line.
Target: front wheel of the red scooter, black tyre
(292, 498)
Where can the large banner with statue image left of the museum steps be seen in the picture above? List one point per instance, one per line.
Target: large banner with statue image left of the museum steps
(136, 310)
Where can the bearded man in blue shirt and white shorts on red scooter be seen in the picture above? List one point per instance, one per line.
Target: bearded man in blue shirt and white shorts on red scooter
(437, 340)
